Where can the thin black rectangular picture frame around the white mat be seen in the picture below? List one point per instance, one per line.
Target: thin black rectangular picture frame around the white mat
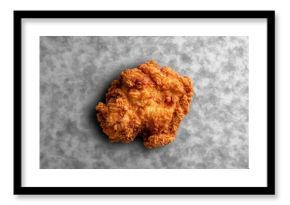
(268, 190)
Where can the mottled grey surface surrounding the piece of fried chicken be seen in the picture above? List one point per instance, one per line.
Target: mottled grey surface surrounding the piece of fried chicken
(75, 73)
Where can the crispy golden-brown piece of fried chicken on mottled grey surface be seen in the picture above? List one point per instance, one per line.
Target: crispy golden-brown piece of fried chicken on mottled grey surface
(148, 101)
